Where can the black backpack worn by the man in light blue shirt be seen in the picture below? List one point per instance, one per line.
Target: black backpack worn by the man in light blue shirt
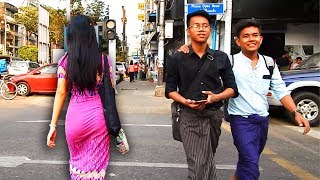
(270, 66)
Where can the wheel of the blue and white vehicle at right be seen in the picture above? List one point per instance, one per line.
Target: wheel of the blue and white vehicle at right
(309, 104)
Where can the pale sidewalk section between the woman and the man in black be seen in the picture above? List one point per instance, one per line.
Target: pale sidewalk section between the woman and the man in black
(138, 97)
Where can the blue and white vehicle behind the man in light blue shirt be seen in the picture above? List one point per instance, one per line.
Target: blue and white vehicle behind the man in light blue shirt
(304, 86)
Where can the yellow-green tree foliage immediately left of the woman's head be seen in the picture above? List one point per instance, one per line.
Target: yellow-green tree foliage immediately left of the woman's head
(56, 24)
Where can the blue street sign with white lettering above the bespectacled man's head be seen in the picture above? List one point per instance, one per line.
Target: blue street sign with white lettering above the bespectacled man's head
(211, 8)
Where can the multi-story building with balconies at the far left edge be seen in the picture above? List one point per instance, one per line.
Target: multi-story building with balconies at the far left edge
(10, 38)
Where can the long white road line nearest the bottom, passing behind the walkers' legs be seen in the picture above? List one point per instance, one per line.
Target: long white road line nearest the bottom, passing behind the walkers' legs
(14, 161)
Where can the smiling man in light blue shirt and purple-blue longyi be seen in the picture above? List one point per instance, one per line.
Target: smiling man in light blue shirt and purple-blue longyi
(249, 111)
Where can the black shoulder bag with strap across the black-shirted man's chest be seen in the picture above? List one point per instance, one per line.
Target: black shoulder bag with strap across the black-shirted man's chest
(175, 106)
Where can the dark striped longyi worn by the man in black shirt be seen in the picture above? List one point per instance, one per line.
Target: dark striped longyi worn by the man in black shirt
(200, 132)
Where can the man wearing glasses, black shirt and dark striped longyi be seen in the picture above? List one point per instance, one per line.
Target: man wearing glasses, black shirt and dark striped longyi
(197, 75)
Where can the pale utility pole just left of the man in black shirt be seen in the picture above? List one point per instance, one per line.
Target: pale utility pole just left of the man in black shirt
(160, 88)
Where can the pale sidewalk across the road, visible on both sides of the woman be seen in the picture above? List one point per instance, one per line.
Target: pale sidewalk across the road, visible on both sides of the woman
(137, 97)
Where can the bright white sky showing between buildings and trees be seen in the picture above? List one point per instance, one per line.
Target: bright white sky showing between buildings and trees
(133, 27)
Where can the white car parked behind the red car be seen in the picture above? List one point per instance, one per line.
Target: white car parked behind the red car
(21, 67)
